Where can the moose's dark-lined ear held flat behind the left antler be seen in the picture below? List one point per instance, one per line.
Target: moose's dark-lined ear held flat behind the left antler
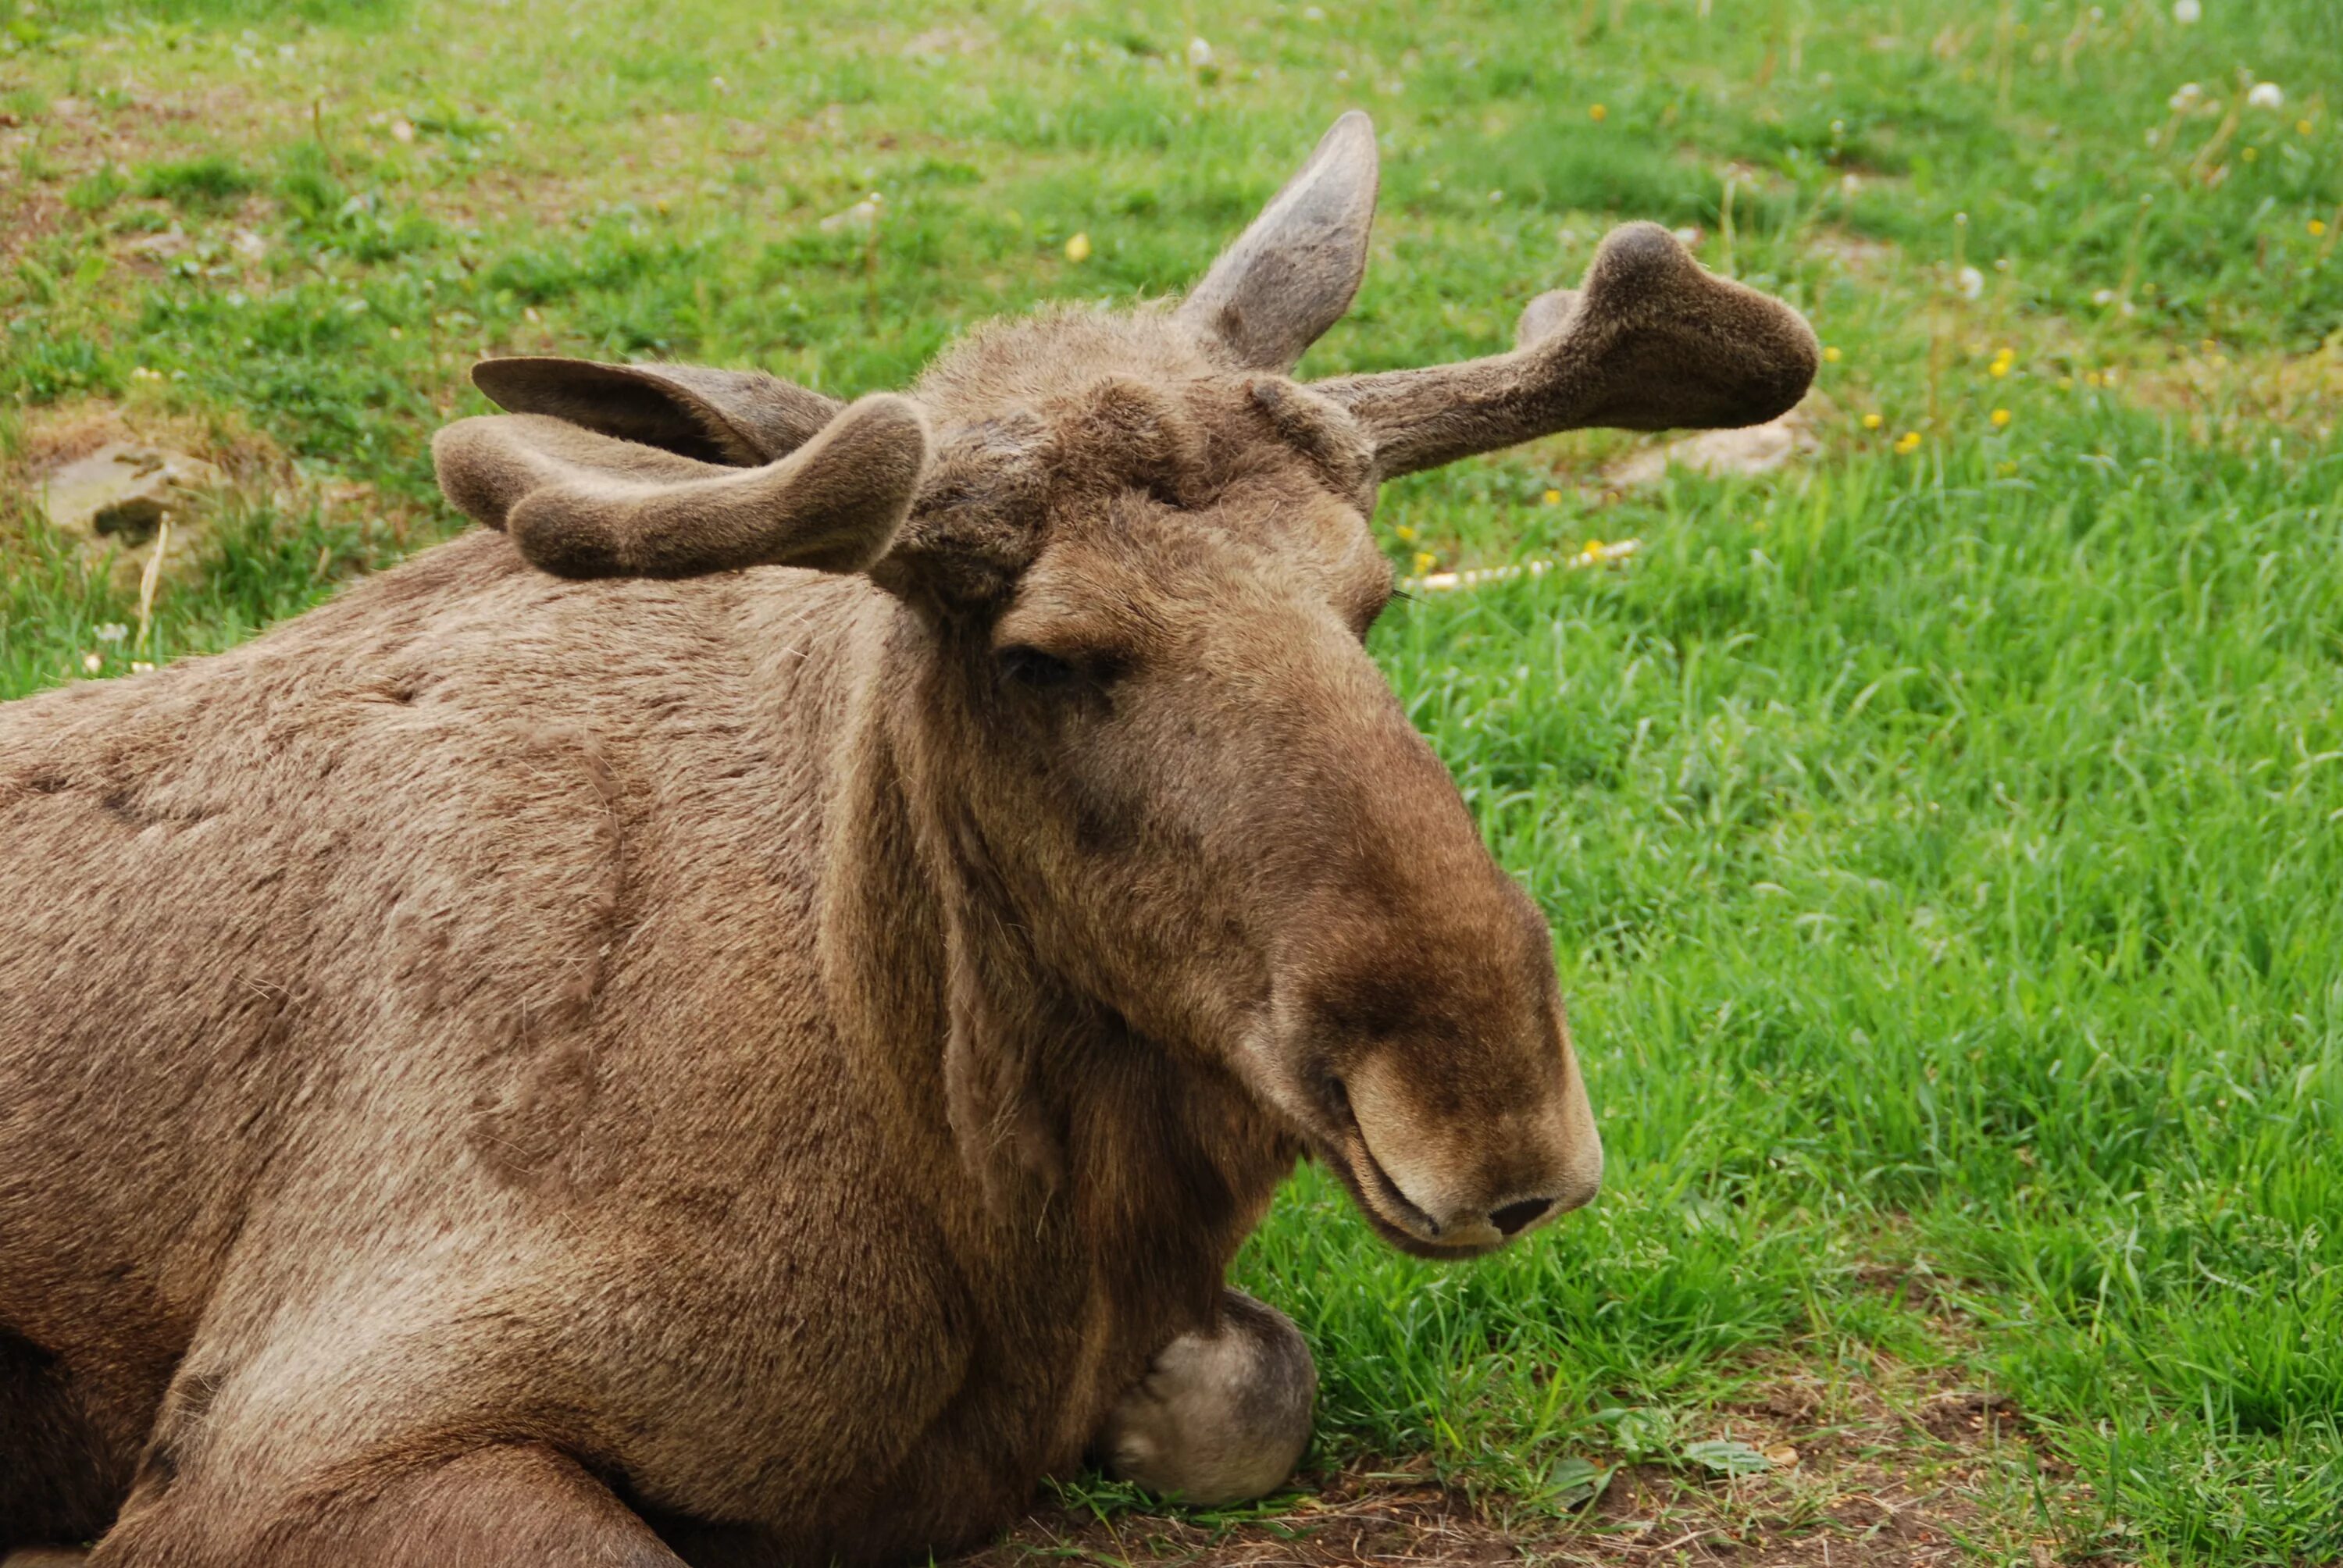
(739, 418)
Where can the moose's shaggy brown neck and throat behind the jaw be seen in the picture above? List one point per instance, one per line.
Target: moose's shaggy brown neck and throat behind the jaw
(1030, 1107)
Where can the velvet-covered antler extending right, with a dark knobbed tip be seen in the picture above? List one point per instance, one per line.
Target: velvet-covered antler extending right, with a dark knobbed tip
(1651, 341)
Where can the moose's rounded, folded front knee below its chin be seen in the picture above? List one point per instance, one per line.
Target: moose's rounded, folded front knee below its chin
(1222, 1417)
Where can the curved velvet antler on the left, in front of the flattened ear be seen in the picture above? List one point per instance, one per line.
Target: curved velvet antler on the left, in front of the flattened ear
(585, 505)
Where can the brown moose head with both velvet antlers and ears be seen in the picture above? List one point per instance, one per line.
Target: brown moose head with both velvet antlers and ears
(1126, 575)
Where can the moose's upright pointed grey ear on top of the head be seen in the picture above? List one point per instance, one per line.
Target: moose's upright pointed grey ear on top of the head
(1297, 268)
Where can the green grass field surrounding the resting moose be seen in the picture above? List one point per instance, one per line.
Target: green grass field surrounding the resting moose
(1944, 847)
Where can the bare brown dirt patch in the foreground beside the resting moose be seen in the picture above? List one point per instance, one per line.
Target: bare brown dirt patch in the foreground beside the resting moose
(1869, 1473)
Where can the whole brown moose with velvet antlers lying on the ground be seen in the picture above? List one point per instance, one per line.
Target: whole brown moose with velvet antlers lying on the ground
(742, 1011)
